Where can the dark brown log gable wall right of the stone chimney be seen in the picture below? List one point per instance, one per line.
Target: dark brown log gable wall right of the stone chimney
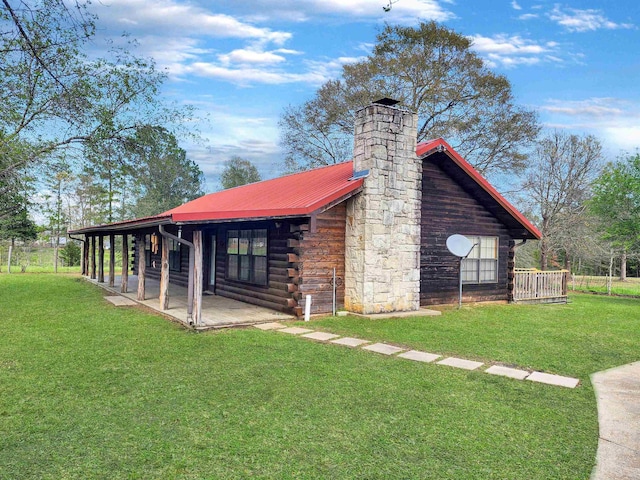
(448, 209)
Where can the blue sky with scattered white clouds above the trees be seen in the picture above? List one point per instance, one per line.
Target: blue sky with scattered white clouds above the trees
(241, 62)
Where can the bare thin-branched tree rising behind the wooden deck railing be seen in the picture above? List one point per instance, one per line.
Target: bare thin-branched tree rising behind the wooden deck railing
(558, 184)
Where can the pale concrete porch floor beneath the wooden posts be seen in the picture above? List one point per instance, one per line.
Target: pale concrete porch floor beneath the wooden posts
(217, 311)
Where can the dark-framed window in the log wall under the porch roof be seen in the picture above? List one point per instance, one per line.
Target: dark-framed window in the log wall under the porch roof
(247, 256)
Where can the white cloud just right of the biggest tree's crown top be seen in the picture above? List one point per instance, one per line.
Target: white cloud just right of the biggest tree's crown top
(510, 51)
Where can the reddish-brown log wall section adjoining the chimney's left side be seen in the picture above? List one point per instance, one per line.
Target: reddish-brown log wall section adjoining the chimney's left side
(320, 252)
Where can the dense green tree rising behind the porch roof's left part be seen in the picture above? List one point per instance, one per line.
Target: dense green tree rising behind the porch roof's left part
(164, 175)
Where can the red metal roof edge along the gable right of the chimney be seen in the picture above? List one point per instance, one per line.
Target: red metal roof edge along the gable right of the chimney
(439, 145)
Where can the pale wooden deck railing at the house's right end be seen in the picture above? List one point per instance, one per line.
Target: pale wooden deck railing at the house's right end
(536, 285)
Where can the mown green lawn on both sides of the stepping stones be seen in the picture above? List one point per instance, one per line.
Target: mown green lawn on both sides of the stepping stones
(91, 391)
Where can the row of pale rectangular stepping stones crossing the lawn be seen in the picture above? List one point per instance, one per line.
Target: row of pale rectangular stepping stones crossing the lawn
(416, 355)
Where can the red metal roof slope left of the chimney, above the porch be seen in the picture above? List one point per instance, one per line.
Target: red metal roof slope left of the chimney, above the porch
(298, 194)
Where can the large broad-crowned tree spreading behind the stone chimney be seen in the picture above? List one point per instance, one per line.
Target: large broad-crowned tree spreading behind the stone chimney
(431, 70)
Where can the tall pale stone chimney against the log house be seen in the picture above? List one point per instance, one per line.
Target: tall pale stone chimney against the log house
(382, 263)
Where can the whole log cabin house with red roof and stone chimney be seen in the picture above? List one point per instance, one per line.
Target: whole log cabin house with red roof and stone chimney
(381, 221)
